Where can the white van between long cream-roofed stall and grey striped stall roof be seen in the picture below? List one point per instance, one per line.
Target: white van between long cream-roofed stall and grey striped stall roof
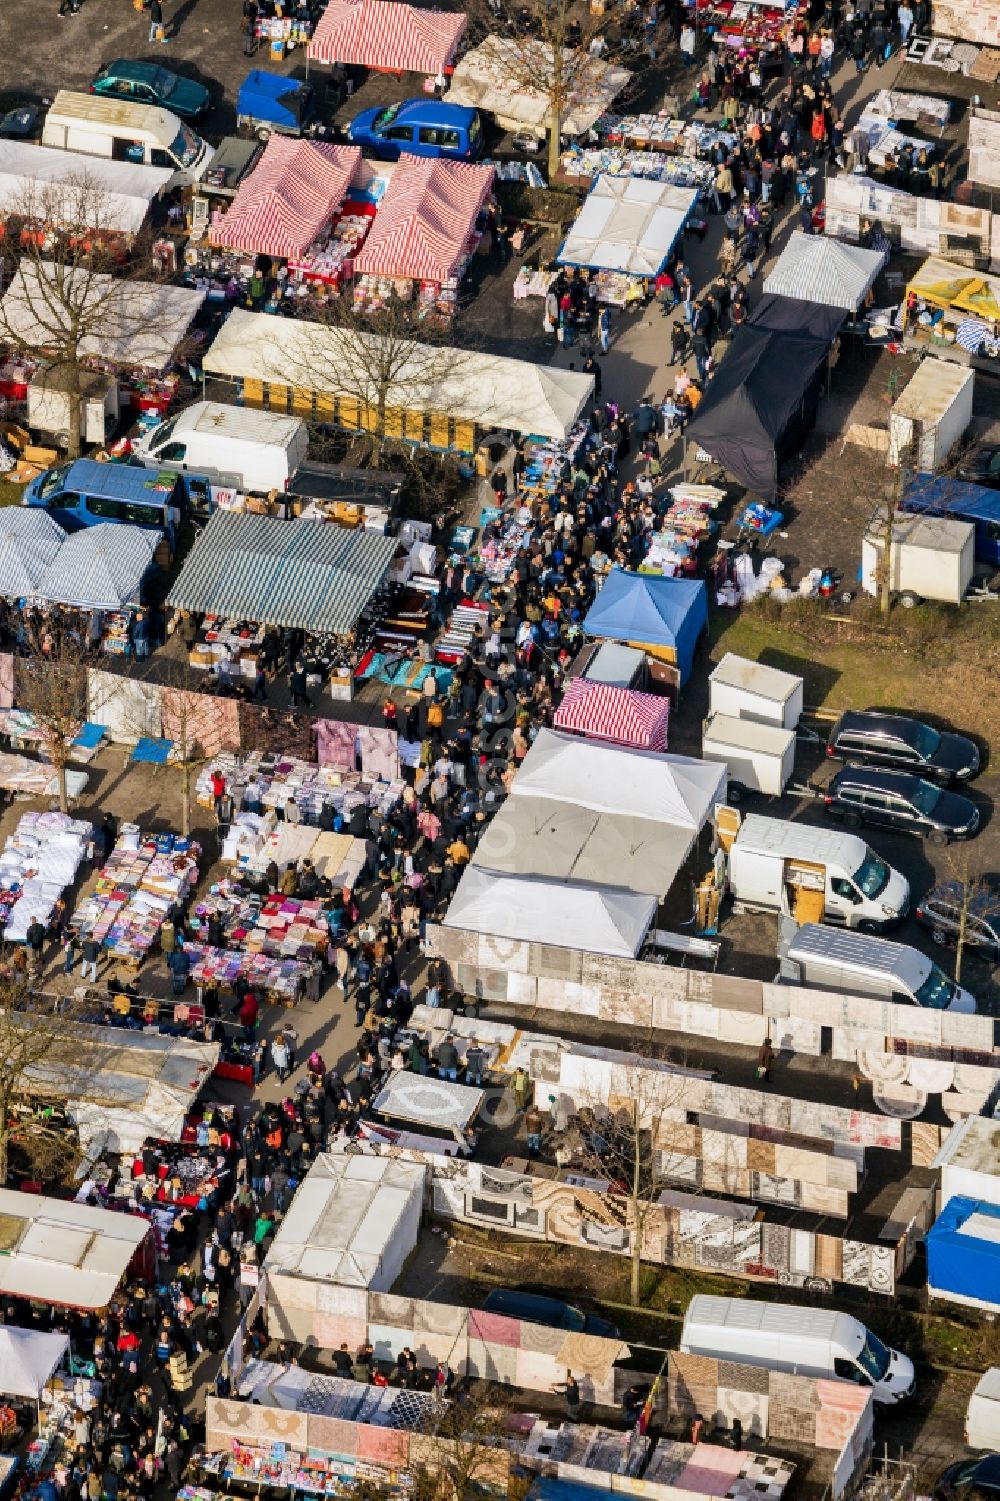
(255, 451)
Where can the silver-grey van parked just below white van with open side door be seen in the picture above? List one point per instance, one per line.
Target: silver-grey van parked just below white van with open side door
(857, 964)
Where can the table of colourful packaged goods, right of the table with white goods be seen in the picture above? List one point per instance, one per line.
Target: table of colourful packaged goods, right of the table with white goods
(140, 882)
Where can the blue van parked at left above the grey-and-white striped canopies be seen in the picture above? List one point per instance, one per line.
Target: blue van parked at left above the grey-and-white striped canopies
(83, 493)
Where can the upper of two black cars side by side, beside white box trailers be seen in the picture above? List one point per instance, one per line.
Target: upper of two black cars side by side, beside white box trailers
(867, 736)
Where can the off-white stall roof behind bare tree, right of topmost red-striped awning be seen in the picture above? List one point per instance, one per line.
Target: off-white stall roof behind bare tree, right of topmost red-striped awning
(498, 76)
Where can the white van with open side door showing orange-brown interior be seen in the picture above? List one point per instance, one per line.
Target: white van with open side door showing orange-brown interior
(815, 876)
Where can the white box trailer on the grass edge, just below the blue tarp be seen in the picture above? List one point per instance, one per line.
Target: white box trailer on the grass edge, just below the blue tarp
(932, 558)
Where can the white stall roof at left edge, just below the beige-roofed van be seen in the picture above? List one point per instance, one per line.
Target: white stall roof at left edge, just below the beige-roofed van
(59, 187)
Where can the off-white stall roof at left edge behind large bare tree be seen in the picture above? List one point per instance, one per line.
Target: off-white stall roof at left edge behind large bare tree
(140, 323)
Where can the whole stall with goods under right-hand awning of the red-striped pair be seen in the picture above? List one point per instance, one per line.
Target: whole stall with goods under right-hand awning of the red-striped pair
(424, 235)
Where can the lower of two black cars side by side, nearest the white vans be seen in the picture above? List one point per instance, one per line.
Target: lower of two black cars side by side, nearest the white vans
(900, 801)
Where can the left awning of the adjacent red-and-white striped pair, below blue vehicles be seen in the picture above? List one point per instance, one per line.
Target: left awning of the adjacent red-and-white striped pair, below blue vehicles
(289, 199)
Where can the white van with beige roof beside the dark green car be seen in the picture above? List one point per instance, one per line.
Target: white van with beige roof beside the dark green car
(127, 133)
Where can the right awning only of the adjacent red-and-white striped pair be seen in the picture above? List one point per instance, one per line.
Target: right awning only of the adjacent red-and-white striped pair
(424, 220)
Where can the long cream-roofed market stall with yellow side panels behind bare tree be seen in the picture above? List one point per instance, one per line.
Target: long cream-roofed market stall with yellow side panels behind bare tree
(444, 400)
